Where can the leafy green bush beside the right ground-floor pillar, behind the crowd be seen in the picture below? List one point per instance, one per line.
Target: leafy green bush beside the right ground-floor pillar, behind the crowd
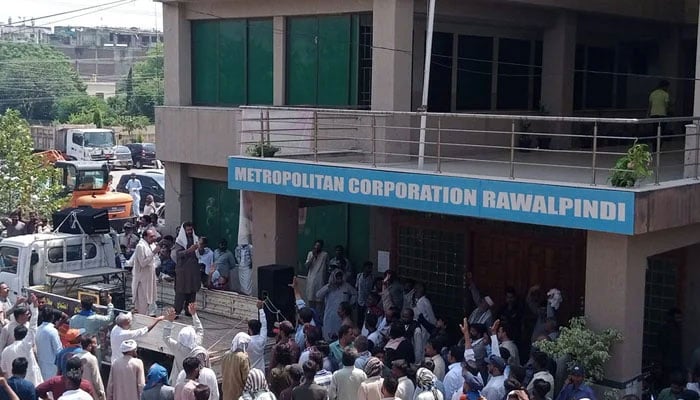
(585, 347)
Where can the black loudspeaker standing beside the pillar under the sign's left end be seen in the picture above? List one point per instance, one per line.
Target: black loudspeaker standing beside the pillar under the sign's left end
(272, 284)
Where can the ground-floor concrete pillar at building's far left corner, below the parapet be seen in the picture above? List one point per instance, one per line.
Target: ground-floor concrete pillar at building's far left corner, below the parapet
(178, 196)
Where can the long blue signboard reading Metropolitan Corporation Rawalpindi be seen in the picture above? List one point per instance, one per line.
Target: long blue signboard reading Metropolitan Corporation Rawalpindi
(606, 210)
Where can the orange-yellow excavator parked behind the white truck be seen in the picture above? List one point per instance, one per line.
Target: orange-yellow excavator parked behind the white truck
(87, 183)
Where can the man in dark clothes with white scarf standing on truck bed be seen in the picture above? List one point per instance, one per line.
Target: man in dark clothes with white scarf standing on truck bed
(188, 278)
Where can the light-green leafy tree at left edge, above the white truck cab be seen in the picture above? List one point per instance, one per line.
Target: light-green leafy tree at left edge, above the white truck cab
(25, 182)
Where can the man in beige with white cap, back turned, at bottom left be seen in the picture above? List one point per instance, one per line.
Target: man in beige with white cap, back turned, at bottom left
(126, 376)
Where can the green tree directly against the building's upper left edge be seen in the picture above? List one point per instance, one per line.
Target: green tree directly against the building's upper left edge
(148, 86)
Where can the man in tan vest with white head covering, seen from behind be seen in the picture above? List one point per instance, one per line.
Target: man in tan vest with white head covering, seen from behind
(235, 367)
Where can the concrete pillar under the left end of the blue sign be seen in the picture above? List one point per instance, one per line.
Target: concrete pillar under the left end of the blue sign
(275, 221)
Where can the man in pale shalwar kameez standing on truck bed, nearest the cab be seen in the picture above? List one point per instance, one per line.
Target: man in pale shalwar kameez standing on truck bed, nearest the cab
(143, 284)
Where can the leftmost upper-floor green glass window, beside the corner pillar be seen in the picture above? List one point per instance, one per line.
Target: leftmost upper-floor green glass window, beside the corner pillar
(232, 62)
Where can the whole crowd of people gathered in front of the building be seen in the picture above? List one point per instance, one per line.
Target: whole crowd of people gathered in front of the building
(357, 336)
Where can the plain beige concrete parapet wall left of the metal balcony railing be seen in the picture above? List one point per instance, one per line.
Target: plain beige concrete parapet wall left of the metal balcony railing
(197, 135)
